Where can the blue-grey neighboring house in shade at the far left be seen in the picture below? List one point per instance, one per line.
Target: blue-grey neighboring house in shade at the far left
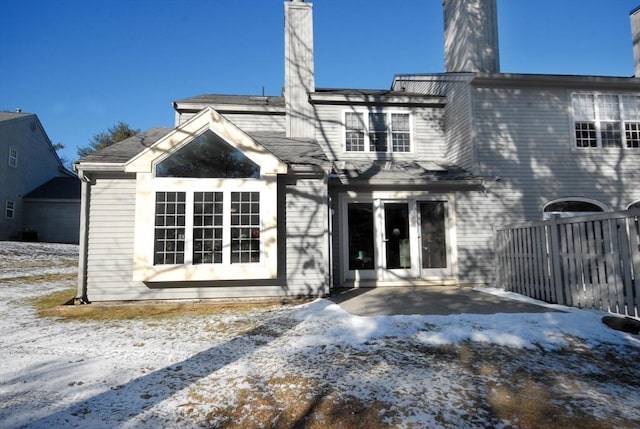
(28, 162)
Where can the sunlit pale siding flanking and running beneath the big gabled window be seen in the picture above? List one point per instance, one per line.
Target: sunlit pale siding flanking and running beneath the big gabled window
(110, 254)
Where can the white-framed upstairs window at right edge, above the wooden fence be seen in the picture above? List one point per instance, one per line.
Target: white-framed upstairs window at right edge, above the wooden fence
(606, 120)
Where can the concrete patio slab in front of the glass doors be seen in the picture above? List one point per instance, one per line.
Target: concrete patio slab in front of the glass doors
(435, 300)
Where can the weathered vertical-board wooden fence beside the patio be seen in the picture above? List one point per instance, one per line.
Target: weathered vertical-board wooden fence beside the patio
(587, 261)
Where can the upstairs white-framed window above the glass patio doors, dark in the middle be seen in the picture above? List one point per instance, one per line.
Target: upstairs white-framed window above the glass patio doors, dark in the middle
(377, 132)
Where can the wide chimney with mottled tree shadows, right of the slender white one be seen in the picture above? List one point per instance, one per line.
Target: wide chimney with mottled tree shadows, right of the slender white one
(471, 36)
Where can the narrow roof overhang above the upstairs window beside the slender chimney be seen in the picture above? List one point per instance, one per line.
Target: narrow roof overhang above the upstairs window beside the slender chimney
(371, 99)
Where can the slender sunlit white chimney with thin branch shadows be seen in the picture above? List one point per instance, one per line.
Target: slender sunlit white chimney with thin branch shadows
(299, 78)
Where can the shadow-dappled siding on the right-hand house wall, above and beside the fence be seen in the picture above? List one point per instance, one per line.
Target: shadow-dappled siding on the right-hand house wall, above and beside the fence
(527, 155)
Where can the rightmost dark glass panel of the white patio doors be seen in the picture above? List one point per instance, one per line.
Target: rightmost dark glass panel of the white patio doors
(433, 234)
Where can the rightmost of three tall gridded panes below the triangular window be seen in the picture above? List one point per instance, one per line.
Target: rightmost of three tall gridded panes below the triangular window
(245, 227)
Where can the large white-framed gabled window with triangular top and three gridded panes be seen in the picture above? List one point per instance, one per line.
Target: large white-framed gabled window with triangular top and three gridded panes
(205, 208)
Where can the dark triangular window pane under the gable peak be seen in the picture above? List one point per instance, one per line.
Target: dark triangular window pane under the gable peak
(208, 156)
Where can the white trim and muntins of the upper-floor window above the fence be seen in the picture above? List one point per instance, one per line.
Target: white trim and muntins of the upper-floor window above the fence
(598, 122)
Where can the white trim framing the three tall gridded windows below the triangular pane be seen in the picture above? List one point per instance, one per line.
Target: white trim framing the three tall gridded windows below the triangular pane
(145, 270)
